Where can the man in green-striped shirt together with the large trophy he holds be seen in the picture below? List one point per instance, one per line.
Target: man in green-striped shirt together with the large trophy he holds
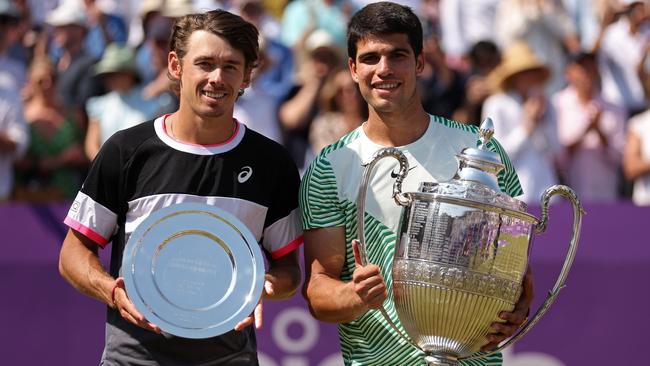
(460, 281)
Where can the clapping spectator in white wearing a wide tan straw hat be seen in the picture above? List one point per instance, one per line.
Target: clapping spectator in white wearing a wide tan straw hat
(524, 121)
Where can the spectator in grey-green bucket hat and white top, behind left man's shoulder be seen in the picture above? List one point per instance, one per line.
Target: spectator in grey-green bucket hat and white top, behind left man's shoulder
(124, 105)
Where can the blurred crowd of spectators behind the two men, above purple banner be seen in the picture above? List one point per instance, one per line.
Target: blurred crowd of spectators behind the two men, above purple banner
(566, 82)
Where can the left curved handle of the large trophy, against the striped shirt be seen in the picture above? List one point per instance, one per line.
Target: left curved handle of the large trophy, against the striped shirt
(400, 198)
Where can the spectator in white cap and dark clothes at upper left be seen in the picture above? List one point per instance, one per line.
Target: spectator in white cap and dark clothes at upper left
(73, 64)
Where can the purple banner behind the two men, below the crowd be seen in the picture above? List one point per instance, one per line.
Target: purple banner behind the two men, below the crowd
(603, 309)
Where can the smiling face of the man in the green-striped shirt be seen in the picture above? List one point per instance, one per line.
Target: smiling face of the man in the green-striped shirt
(386, 70)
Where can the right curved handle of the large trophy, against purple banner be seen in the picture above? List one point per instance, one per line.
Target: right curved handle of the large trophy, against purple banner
(578, 212)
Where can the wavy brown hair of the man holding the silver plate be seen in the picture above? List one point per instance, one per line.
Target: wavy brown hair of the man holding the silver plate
(239, 33)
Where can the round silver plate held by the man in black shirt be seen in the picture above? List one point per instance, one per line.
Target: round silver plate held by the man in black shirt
(193, 269)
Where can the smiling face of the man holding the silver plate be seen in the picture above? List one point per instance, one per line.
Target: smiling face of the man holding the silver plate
(211, 74)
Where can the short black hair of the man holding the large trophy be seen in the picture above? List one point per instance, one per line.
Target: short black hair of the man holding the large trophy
(384, 18)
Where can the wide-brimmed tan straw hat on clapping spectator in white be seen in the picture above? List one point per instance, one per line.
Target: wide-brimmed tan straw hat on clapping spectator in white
(516, 59)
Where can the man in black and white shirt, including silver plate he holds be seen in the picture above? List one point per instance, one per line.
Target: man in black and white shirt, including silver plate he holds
(184, 199)
